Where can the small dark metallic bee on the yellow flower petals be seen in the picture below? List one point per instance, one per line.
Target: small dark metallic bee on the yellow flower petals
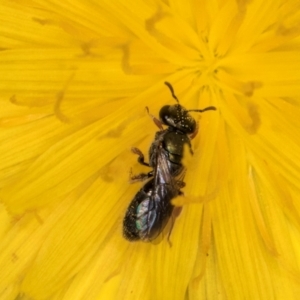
(151, 208)
